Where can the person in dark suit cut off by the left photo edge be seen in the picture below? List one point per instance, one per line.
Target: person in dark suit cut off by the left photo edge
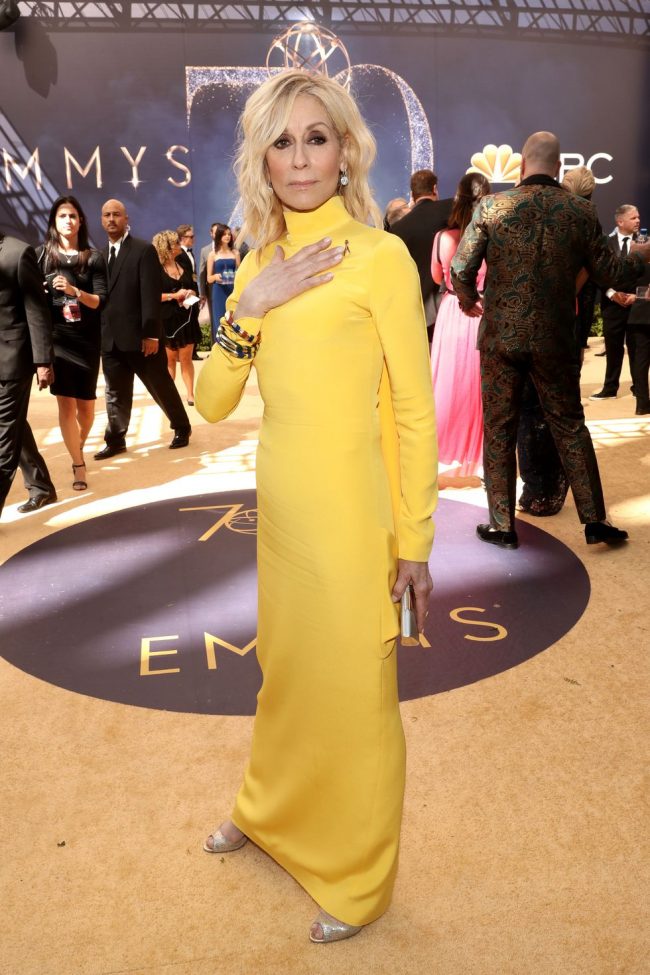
(25, 347)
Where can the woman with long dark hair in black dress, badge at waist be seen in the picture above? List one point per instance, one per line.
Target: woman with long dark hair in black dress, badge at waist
(75, 276)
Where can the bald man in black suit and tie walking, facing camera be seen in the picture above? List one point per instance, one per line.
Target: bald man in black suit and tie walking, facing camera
(132, 334)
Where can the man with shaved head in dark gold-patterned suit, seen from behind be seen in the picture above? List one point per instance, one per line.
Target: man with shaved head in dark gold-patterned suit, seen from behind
(535, 238)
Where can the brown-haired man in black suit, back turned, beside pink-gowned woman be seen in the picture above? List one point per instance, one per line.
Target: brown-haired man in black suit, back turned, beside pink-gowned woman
(418, 228)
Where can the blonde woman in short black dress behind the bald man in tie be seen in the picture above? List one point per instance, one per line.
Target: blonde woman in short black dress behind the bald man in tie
(176, 286)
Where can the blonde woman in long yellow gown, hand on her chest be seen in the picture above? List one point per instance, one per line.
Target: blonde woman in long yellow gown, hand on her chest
(329, 310)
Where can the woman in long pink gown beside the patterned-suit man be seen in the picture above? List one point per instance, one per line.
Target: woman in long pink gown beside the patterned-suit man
(454, 357)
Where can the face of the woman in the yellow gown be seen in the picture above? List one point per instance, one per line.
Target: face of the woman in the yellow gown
(305, 161)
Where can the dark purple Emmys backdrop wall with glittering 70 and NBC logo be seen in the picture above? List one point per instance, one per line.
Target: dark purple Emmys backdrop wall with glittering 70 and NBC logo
(146, 111)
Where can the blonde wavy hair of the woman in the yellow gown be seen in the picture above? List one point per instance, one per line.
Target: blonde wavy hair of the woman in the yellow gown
(264, 119)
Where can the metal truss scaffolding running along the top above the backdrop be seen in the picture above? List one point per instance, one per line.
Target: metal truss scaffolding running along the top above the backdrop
(588, 20)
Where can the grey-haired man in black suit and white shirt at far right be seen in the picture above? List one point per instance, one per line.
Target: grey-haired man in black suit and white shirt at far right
(615, 305)
